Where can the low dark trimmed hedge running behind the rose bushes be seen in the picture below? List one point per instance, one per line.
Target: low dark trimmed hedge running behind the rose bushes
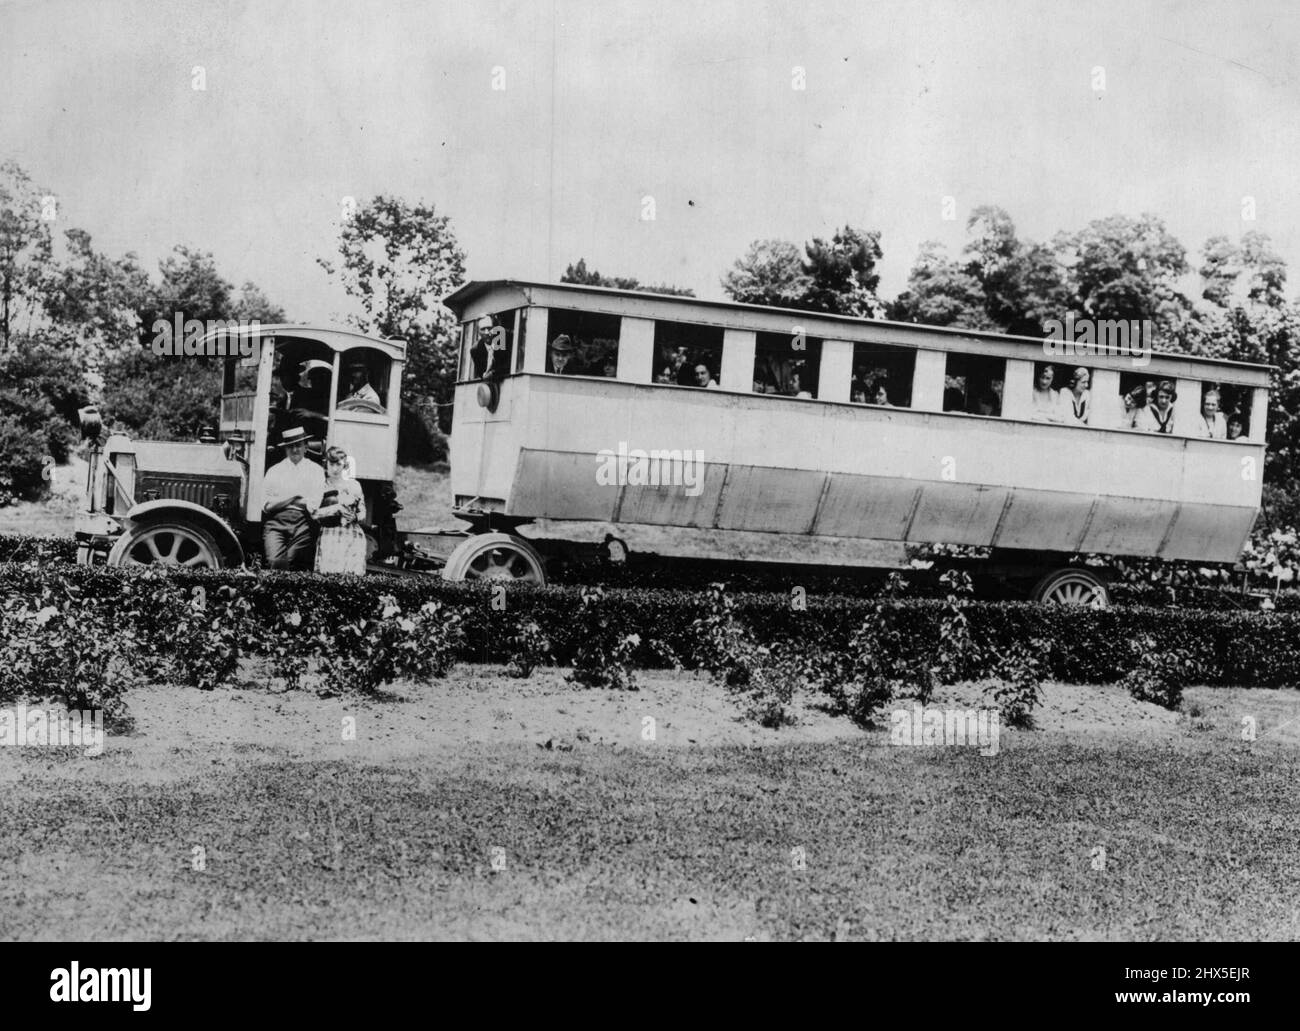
(1080, 646)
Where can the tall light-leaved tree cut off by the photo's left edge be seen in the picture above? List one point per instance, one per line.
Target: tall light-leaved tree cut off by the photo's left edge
(25, 250)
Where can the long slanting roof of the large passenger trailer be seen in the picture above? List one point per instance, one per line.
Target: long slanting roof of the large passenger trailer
(643, 302)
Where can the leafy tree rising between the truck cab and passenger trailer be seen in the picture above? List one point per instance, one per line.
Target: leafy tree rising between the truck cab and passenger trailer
(398, 261)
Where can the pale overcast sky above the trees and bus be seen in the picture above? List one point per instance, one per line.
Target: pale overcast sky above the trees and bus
(604, 105)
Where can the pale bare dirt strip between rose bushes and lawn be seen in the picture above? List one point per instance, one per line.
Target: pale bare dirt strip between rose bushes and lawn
(177, 729)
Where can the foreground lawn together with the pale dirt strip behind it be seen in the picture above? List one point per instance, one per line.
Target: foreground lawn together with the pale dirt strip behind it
(604, 835)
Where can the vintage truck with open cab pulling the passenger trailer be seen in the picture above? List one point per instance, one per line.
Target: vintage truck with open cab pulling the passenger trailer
(198, 505)
